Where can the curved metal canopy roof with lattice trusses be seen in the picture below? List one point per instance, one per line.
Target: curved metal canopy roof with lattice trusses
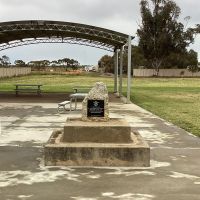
(18, 33)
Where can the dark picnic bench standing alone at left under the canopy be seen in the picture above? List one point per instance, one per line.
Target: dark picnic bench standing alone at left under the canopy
(28, 88)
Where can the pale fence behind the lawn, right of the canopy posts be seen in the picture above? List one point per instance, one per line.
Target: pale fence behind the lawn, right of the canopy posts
(165, 73)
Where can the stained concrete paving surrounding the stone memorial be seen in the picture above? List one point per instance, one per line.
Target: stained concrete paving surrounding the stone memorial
(174, 173)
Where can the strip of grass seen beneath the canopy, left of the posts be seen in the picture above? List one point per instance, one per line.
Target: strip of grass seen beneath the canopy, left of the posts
(55, 83)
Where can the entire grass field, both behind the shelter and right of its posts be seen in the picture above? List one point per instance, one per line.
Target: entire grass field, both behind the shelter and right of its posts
(176, 100)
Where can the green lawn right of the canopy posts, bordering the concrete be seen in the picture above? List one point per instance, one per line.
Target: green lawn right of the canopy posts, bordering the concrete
(176, 100)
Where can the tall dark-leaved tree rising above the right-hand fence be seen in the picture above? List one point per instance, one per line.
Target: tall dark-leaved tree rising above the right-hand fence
(160, 34)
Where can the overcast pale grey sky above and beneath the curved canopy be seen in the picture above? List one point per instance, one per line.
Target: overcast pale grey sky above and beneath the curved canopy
(122, 16)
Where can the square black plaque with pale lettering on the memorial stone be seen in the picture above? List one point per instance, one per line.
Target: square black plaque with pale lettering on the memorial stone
(95, 108)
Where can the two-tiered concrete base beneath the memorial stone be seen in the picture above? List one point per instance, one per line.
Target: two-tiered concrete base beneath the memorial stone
(88, 143)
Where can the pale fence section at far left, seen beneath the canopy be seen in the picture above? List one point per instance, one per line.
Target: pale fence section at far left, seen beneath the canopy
(14, 71)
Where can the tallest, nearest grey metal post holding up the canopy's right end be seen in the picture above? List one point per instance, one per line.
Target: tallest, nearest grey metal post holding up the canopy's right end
(129, 71)
